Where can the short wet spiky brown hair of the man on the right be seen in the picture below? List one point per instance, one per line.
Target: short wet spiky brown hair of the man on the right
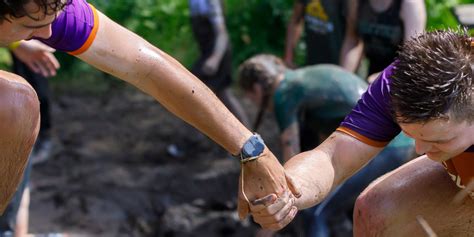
(433, 78)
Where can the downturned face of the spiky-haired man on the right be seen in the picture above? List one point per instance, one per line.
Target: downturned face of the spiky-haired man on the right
(440, 139)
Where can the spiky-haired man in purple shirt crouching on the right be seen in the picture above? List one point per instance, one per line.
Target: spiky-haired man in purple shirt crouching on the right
(427, 94)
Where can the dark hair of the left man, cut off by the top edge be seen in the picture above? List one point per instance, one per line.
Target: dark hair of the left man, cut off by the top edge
(16, 8)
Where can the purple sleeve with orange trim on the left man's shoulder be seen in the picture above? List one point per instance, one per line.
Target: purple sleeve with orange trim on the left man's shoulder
(75, 28)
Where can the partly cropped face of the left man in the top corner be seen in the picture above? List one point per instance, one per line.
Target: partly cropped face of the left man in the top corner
(16, 29)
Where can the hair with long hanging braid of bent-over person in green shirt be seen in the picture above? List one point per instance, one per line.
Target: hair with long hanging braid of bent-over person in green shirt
(264, 70)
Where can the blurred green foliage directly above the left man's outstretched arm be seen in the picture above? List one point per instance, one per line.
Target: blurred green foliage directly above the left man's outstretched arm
(164, 23)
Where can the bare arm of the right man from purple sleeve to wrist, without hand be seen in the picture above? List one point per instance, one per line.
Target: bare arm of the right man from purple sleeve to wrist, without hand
(320, 170)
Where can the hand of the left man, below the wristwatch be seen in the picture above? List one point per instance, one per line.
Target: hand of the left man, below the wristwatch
(260, 178)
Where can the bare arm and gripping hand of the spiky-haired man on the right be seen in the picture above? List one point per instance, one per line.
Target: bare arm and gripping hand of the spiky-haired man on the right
(316, 172)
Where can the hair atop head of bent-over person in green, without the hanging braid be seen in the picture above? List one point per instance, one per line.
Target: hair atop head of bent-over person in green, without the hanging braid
(262, 69)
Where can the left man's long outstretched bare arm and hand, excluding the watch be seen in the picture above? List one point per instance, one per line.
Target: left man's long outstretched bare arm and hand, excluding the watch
(127, 56)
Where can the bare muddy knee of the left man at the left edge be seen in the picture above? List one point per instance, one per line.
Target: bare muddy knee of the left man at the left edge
(19, 113)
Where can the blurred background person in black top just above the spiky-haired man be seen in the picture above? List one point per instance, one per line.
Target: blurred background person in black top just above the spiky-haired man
(376, 29)
